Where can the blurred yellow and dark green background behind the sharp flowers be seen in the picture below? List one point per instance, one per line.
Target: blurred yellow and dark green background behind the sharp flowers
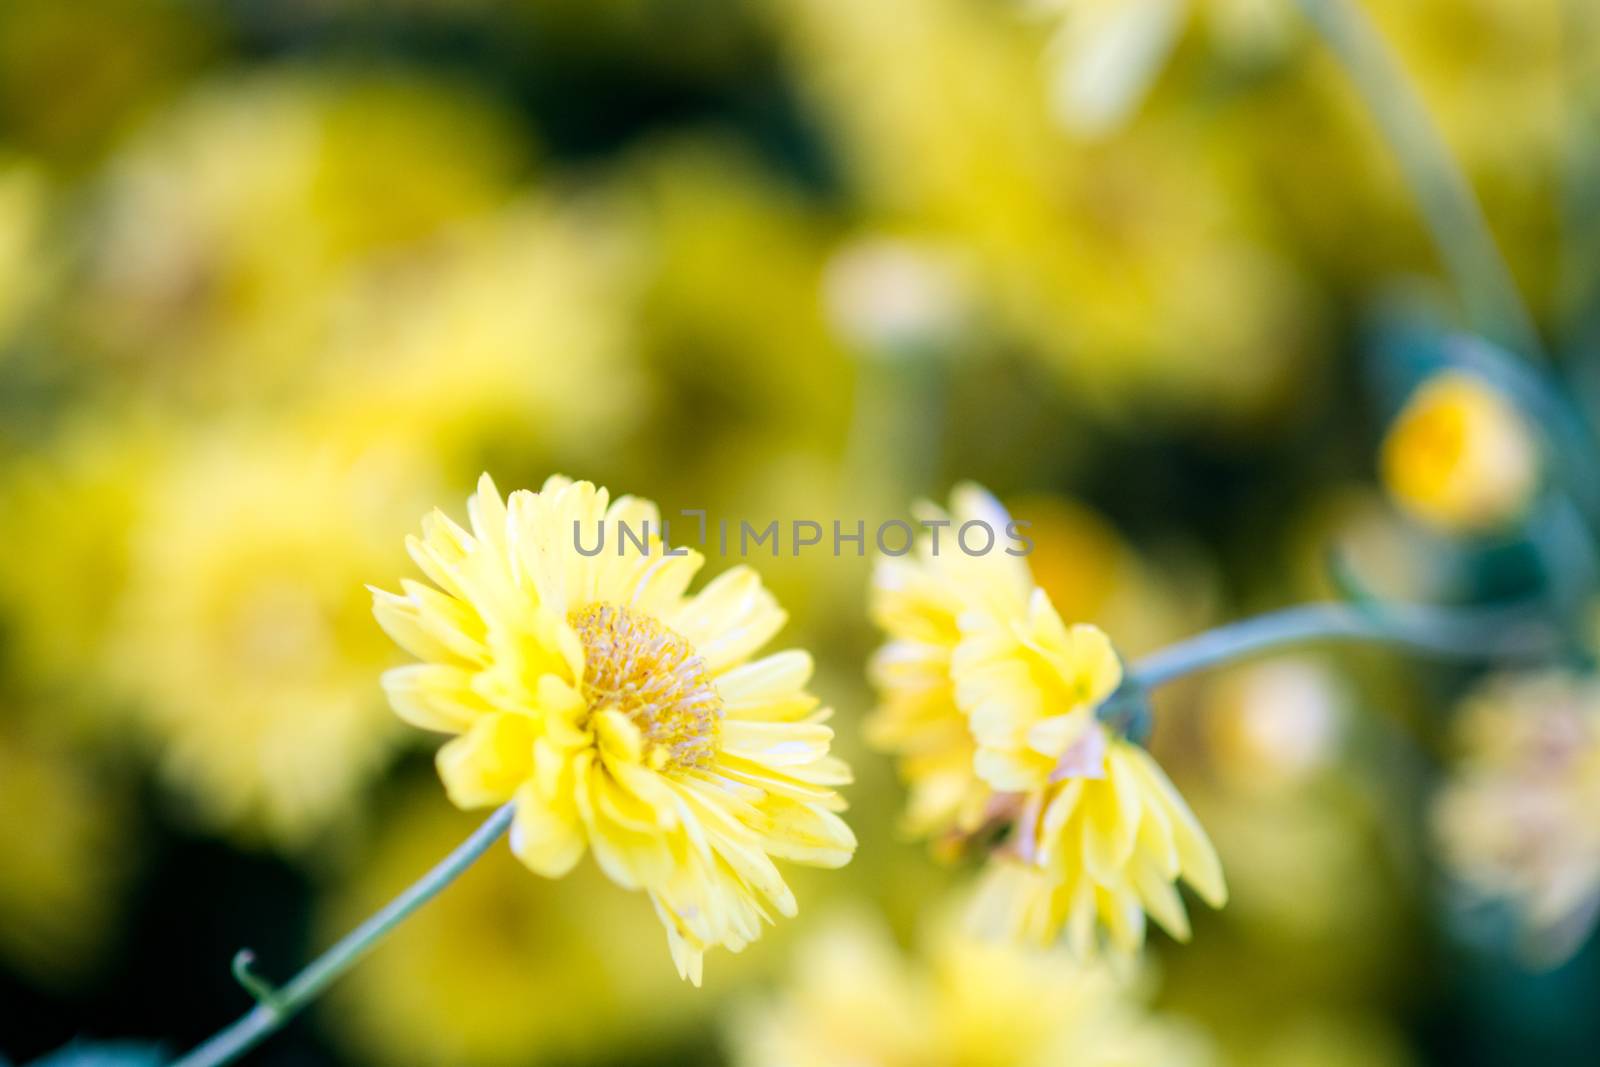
(279, 278)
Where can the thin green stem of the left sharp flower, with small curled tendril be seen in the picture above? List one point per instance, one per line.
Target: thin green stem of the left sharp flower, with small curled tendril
(278, 1007)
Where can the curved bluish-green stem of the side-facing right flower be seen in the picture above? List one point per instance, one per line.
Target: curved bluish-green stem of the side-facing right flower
(1471, 634)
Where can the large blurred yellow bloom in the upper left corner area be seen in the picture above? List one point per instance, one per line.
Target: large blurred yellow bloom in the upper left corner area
(231, 228)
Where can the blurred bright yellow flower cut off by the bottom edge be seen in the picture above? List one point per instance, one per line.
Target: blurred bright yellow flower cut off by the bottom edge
(854, 999)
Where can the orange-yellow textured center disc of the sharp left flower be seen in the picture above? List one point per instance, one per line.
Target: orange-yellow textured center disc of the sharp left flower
(650, 674)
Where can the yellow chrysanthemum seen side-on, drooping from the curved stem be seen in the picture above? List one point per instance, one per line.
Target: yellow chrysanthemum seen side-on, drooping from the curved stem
(991, 701)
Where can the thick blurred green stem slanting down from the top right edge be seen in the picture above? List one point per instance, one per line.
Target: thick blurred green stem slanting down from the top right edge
(1449, 207)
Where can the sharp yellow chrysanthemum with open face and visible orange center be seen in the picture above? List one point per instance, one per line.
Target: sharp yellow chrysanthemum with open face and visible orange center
(620, 714)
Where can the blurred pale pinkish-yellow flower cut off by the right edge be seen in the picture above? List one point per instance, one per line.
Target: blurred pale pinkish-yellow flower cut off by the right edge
(1518, 818)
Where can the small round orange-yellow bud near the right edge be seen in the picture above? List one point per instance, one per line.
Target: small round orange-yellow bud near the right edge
(1460, 457)
